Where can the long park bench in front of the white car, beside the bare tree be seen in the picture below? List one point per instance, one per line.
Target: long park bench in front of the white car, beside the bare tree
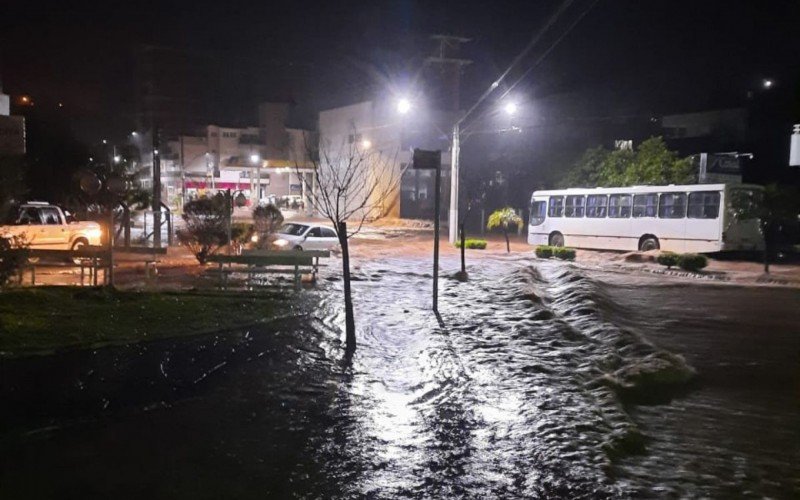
(294, 262)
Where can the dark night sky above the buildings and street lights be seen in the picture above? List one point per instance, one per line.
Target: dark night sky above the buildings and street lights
(662, 56)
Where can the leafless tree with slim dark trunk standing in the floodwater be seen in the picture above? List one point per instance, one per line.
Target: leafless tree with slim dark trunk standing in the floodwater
(351, 184)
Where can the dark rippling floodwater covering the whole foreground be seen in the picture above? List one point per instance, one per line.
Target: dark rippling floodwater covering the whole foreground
(541, 380)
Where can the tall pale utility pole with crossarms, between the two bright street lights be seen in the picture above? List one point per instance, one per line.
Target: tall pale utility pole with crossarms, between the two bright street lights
(446, 58)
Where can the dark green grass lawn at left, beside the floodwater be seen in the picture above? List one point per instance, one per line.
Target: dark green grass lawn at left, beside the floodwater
(48, 318)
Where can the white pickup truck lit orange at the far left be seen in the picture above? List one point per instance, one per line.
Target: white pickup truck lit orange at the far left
(44, 226)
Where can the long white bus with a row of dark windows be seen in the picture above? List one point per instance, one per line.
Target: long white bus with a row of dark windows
(690, 218)
